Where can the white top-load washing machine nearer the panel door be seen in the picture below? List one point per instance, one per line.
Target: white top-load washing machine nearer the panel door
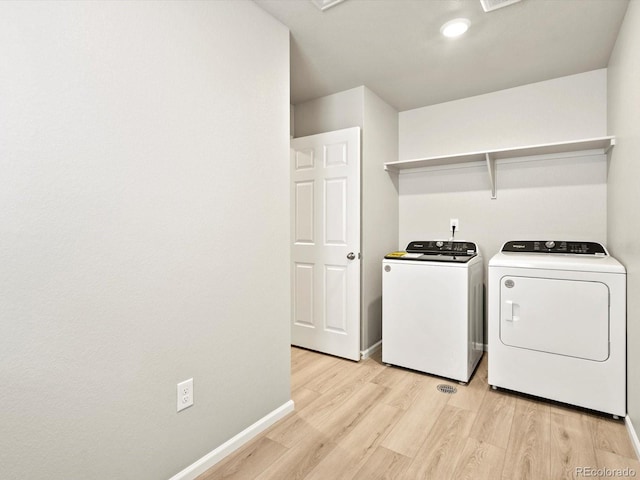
(432, 308)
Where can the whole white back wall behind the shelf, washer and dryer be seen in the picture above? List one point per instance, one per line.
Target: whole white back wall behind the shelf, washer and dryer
(559, 198)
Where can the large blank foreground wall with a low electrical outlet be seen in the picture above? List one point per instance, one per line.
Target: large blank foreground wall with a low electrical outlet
(143, 232)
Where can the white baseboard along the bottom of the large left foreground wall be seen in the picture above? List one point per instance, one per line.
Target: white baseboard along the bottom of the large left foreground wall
(210, 459)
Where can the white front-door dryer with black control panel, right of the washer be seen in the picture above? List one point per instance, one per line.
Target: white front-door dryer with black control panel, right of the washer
(557, 323)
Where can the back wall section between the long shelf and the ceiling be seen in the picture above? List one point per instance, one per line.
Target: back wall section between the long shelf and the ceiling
(567, 108)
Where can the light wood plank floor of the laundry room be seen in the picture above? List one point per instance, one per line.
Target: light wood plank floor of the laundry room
(367, 421)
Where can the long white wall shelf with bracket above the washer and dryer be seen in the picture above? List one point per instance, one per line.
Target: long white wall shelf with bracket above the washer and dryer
(599, 144)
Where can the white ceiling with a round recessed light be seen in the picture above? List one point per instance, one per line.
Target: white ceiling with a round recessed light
(394, 47)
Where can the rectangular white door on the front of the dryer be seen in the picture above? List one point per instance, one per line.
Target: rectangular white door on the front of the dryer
(563, 317)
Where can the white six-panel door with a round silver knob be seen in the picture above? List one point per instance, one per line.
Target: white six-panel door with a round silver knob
(325, 203)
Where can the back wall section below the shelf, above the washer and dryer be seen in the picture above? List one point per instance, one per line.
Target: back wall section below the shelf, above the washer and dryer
(555, 198)
